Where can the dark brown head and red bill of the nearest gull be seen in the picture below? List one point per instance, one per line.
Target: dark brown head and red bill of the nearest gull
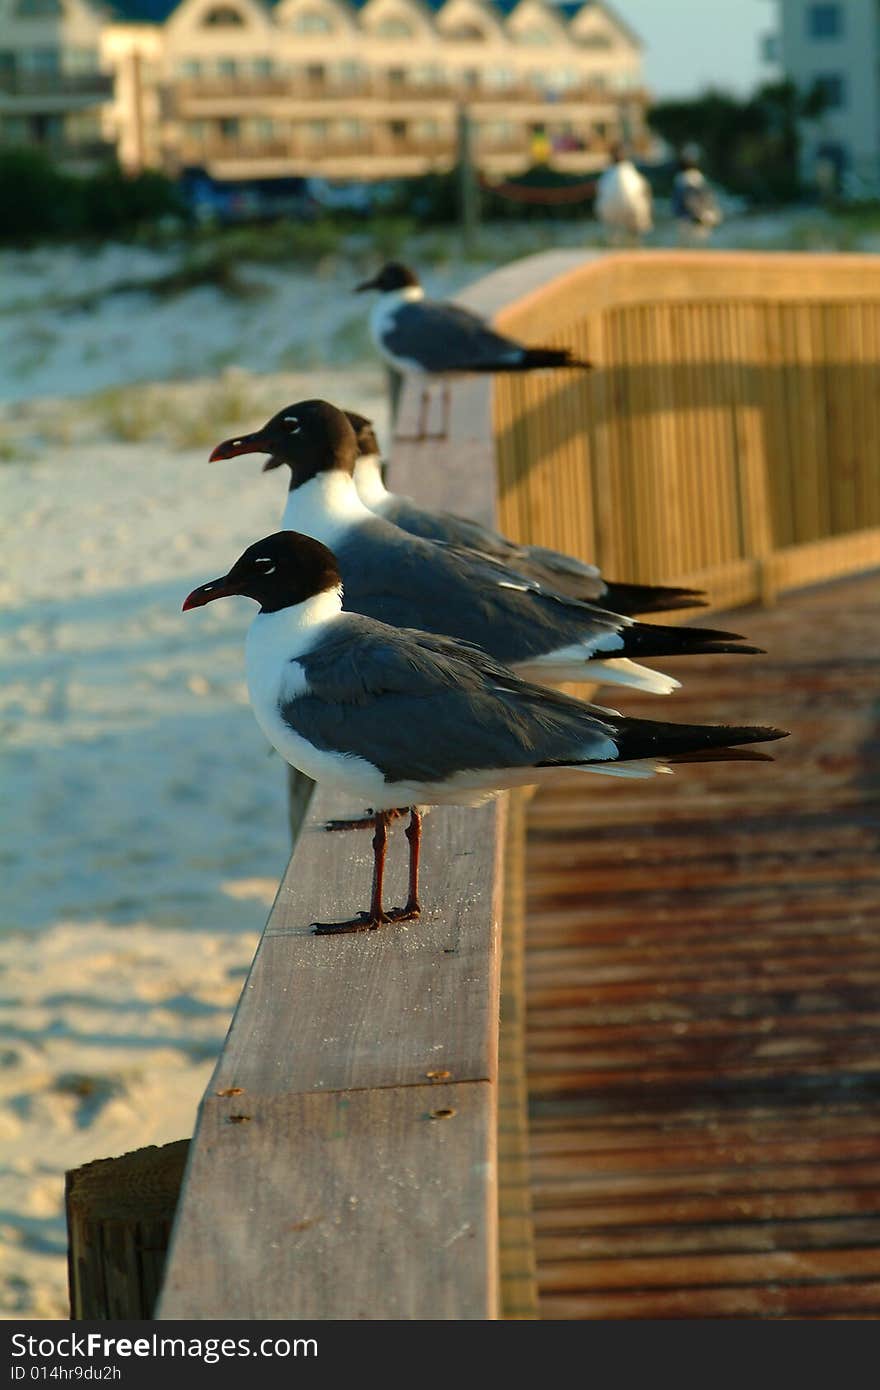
(279, 572)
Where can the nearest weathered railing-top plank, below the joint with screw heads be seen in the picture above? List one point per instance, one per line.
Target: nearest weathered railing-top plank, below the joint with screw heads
(361, 1204)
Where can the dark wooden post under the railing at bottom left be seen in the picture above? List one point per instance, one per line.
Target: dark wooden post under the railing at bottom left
(119, 1223)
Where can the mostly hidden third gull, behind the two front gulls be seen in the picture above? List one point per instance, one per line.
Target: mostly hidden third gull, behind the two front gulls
(560, 572)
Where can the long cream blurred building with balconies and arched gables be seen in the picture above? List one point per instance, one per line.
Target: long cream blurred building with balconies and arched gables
(332, 88)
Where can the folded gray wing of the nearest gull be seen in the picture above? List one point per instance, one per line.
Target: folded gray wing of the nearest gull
(425, 708)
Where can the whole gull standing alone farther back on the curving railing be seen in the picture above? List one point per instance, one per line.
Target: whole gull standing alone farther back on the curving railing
(430, 338)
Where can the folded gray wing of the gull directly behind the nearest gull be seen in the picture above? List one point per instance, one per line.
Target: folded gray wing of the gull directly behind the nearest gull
(407, 582)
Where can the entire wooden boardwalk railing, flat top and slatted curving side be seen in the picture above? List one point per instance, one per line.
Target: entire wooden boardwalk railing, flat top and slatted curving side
(345, 1157)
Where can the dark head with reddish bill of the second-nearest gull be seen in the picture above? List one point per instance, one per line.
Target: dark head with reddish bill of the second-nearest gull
(311, 437)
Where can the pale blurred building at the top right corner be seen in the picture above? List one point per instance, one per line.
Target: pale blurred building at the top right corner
(836, 45)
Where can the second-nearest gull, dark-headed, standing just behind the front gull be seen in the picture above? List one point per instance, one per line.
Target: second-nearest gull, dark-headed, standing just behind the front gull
(408, 582)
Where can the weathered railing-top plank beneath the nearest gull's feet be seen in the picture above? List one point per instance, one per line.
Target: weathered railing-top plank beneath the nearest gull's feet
(380, 1008)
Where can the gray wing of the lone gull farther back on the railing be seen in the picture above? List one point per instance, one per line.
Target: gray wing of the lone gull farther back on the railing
(446, 338)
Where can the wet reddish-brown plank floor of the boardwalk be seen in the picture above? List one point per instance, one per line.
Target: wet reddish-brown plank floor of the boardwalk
(704, 997)
